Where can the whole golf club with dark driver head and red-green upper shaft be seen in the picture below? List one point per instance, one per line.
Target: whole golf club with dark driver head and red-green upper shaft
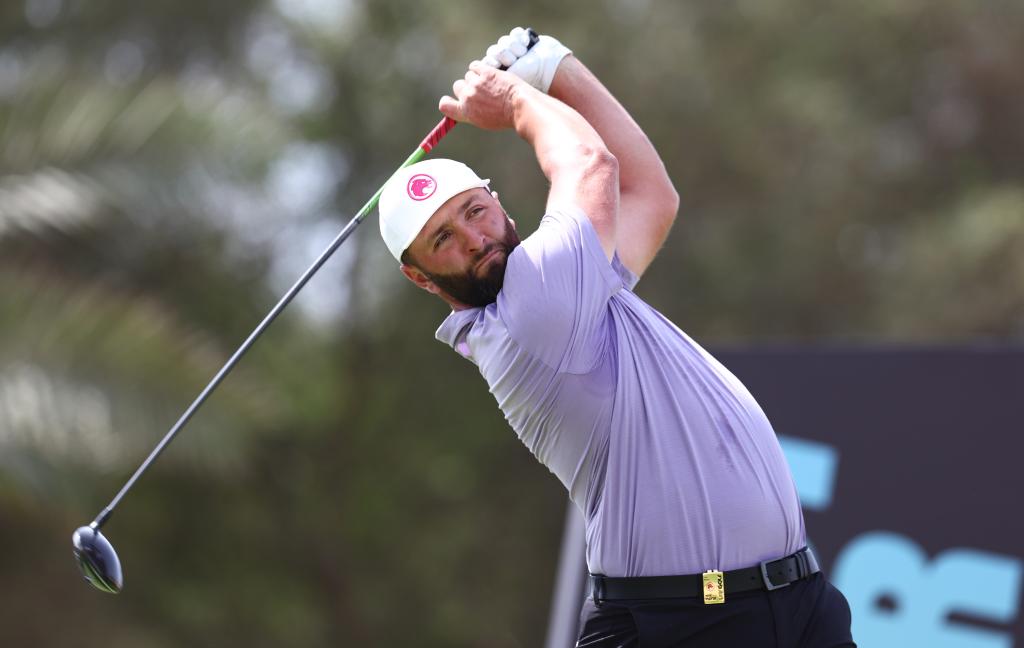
(96, 556)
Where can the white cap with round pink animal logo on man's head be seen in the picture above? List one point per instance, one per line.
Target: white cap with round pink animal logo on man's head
(415, 193)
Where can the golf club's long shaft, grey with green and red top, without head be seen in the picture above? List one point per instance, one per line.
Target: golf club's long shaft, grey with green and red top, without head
(436, 136)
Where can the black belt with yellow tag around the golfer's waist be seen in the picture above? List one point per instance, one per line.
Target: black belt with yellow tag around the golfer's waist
(770, 575)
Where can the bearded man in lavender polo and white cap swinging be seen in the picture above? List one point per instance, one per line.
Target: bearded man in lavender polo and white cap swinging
(695, 533)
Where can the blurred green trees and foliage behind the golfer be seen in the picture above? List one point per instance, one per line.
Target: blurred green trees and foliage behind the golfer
(850, 174)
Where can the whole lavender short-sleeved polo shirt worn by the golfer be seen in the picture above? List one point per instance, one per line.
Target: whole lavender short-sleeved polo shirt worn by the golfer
(674, 465)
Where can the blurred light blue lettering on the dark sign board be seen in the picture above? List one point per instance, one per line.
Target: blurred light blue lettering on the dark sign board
(899, 596)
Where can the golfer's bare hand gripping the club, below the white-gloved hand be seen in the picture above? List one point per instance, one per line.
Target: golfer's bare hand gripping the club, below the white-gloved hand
(485, 98)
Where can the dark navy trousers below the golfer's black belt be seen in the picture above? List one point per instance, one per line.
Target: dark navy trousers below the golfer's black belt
(808, 614)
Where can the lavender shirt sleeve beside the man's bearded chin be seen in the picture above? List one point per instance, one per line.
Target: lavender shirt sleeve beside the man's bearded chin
(554, 300)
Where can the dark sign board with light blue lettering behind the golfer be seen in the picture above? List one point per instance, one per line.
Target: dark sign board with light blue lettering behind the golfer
(908, 464)
